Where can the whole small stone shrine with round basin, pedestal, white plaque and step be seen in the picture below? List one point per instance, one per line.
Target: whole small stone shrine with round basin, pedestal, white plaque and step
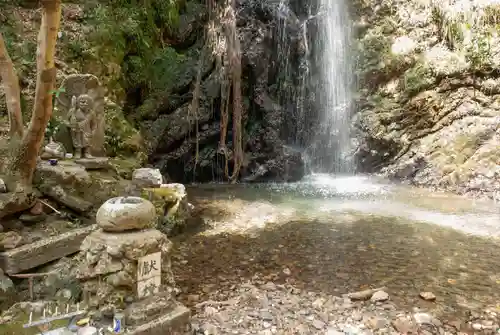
(125, 267)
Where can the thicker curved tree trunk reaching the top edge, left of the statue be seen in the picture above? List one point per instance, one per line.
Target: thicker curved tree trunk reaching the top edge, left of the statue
(24, 162)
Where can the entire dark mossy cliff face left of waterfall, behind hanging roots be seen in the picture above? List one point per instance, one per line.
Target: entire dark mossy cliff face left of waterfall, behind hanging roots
(148, 60)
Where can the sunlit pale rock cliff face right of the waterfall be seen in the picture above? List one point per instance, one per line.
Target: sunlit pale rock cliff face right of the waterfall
(429, 111)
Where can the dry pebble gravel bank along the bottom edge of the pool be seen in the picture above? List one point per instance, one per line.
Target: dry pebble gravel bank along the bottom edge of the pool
(259, 307)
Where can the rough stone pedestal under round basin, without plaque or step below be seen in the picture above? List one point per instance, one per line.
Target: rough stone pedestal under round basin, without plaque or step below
(109, 266)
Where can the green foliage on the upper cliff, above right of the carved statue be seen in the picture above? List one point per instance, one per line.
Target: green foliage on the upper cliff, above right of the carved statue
(132, 34)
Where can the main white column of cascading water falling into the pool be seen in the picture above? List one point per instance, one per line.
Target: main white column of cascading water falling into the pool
(329, 151)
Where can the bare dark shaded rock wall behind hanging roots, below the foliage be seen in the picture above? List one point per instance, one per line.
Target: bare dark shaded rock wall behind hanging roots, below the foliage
(270, 37)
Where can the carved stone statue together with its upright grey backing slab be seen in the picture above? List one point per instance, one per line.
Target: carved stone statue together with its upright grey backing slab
(81, 104)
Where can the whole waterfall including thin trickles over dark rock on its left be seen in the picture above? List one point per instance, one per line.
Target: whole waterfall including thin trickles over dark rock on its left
(314, 76)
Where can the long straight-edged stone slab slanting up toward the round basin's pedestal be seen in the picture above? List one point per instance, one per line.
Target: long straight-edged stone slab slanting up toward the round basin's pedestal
(34, 254)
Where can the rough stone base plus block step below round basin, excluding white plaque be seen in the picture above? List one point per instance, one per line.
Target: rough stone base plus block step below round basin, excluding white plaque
(108, 268)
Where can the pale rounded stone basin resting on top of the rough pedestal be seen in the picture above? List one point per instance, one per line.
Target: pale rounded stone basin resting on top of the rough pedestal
(126, 213)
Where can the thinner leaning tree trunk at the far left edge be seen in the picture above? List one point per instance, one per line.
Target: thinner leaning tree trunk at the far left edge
(12, 92)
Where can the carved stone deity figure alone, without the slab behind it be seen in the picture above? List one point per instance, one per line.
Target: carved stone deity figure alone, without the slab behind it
(82, 124)
